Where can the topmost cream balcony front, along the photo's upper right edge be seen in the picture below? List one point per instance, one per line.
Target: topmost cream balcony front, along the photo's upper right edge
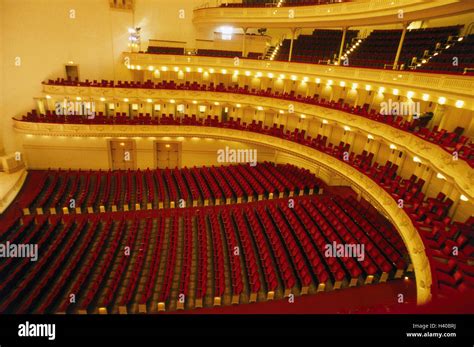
(347, 14)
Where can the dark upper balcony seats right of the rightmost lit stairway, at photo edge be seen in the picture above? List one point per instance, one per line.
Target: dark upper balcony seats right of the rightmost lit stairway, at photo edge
(456, 58)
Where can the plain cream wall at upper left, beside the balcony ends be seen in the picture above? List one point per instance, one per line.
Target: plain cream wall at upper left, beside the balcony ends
(45, 37)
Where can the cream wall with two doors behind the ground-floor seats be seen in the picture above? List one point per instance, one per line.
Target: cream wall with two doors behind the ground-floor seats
(43, 152)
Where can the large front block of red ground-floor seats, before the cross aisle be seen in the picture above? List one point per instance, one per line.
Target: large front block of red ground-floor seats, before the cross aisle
(142, 261)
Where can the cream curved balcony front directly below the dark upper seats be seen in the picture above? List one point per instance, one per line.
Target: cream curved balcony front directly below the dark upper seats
(452, 87)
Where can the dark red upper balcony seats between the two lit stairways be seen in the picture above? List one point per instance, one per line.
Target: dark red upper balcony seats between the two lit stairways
(379, 49)
